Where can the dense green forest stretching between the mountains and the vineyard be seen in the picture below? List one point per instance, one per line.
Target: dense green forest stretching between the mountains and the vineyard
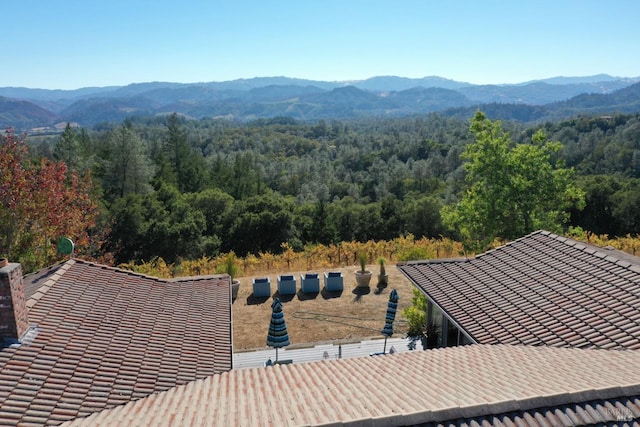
(176, 188)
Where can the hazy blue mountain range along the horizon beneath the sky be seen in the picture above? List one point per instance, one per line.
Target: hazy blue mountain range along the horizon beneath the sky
(265, 97)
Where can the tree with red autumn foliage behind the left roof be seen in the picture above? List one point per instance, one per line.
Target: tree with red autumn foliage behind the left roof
(40, 201)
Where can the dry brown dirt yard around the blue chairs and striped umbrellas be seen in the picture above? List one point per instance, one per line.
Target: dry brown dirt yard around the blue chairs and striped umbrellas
(351, 315)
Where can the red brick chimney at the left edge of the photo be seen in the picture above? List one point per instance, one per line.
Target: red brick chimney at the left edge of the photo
(14, 321)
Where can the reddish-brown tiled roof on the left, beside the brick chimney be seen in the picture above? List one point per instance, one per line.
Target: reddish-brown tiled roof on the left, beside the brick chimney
(106, 336)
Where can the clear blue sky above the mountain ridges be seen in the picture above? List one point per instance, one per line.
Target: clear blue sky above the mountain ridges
(67, 44)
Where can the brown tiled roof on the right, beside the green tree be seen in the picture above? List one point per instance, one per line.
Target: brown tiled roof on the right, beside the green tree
(542, 289)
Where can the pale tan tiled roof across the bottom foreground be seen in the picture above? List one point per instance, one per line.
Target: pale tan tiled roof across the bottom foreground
(457, 385)
